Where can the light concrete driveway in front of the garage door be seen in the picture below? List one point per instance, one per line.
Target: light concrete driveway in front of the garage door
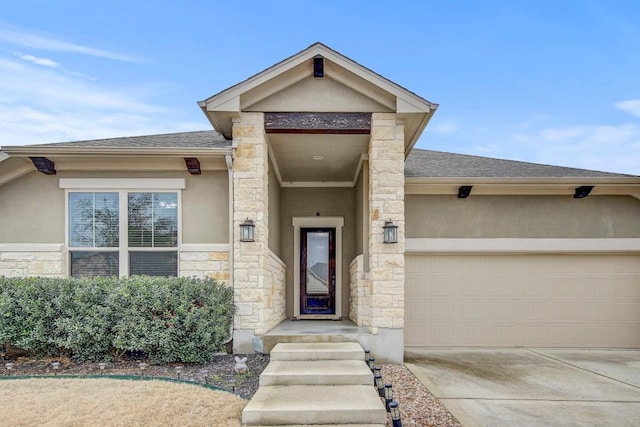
(531, 387)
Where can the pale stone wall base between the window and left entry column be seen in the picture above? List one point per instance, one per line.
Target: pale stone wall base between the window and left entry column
(213, 264)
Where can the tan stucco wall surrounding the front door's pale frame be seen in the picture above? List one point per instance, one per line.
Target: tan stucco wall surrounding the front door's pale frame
(310, 202)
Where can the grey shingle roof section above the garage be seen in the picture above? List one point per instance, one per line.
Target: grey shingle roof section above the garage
(437, 164)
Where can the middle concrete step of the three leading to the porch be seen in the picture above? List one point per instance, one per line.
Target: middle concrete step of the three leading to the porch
(317, 372)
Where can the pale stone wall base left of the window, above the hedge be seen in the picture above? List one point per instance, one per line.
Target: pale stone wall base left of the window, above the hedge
(32, 260)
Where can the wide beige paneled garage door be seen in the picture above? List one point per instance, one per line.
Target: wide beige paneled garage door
(523, 300)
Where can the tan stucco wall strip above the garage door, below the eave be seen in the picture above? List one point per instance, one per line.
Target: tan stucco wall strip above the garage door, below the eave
(440, 216)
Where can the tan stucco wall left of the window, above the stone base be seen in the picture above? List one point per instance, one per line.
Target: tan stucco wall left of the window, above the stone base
(32, 210)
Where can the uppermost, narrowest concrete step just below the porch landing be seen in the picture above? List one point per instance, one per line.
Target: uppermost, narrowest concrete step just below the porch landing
(318, 351)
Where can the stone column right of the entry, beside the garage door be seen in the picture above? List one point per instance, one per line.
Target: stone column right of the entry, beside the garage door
(386, 202)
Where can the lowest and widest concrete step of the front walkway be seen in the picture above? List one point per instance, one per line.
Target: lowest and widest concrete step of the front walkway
(312, 405)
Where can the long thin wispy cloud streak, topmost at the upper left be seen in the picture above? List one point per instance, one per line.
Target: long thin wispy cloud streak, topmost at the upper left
(28, 38)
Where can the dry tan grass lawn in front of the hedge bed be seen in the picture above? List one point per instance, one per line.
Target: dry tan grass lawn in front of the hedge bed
(107, 402)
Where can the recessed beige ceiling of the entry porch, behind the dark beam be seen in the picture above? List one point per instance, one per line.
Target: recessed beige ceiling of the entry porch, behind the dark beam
(307, 158)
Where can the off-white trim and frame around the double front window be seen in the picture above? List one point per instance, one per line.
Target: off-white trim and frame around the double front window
(147, 185)
